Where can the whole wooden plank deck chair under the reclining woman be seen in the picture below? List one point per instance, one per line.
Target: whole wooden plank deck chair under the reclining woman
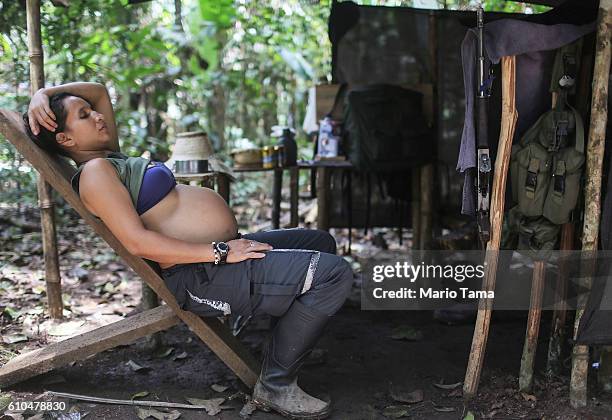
(57, 172)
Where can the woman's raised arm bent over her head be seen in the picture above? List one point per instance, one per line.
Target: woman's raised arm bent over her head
(94, 93)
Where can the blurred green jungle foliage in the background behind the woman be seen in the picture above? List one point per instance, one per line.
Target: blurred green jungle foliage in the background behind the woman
(233, 68)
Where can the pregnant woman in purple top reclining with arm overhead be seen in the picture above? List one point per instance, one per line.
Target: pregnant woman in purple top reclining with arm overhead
(192, 234)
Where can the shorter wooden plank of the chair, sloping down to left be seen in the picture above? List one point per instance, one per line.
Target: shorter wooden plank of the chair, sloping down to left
(87, 344)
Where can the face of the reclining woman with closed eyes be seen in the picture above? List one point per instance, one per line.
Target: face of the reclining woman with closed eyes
(85, 129)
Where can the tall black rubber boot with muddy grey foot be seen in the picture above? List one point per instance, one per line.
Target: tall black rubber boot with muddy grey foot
(292, 340)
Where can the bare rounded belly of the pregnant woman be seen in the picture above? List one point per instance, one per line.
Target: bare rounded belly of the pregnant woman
(192, 214)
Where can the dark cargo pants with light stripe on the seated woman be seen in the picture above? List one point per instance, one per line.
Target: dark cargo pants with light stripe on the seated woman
(302, 265)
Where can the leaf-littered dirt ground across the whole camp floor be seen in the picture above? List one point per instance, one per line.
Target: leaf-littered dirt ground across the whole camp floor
(358, 365)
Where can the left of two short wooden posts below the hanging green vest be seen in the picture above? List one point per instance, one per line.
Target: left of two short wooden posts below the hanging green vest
(533, 327)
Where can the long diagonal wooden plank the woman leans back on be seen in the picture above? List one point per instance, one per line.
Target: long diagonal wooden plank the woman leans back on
(57, 172)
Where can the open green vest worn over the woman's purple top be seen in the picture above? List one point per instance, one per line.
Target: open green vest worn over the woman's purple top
(130, 170)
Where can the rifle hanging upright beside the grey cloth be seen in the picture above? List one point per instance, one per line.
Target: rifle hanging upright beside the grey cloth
(483, 159)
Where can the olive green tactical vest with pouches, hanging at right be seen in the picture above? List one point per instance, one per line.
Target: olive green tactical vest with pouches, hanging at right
(546, 168)
